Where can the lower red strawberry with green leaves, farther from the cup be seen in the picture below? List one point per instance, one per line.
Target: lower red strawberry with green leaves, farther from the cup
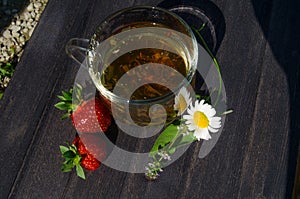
(86, 152)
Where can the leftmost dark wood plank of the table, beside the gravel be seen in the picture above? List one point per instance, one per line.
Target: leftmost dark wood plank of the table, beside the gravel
(27, 98)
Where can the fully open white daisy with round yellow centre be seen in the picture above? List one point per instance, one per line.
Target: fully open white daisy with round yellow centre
(201, 119)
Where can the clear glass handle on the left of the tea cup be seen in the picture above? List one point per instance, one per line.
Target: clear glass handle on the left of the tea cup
(76, 49)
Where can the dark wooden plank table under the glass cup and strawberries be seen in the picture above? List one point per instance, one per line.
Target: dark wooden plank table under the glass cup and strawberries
(255, 156)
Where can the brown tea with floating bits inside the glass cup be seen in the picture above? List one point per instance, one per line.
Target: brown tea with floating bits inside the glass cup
(151, 72)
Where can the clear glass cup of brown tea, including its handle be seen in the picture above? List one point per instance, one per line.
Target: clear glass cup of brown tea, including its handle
(139, 58)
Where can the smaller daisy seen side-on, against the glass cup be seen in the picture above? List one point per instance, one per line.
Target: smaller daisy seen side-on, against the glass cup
(182, 101)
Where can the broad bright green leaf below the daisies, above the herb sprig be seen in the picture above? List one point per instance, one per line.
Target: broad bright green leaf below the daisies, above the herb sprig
(164, 138)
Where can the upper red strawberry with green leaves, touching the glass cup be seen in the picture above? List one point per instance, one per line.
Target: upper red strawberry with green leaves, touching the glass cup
(89, 116)
